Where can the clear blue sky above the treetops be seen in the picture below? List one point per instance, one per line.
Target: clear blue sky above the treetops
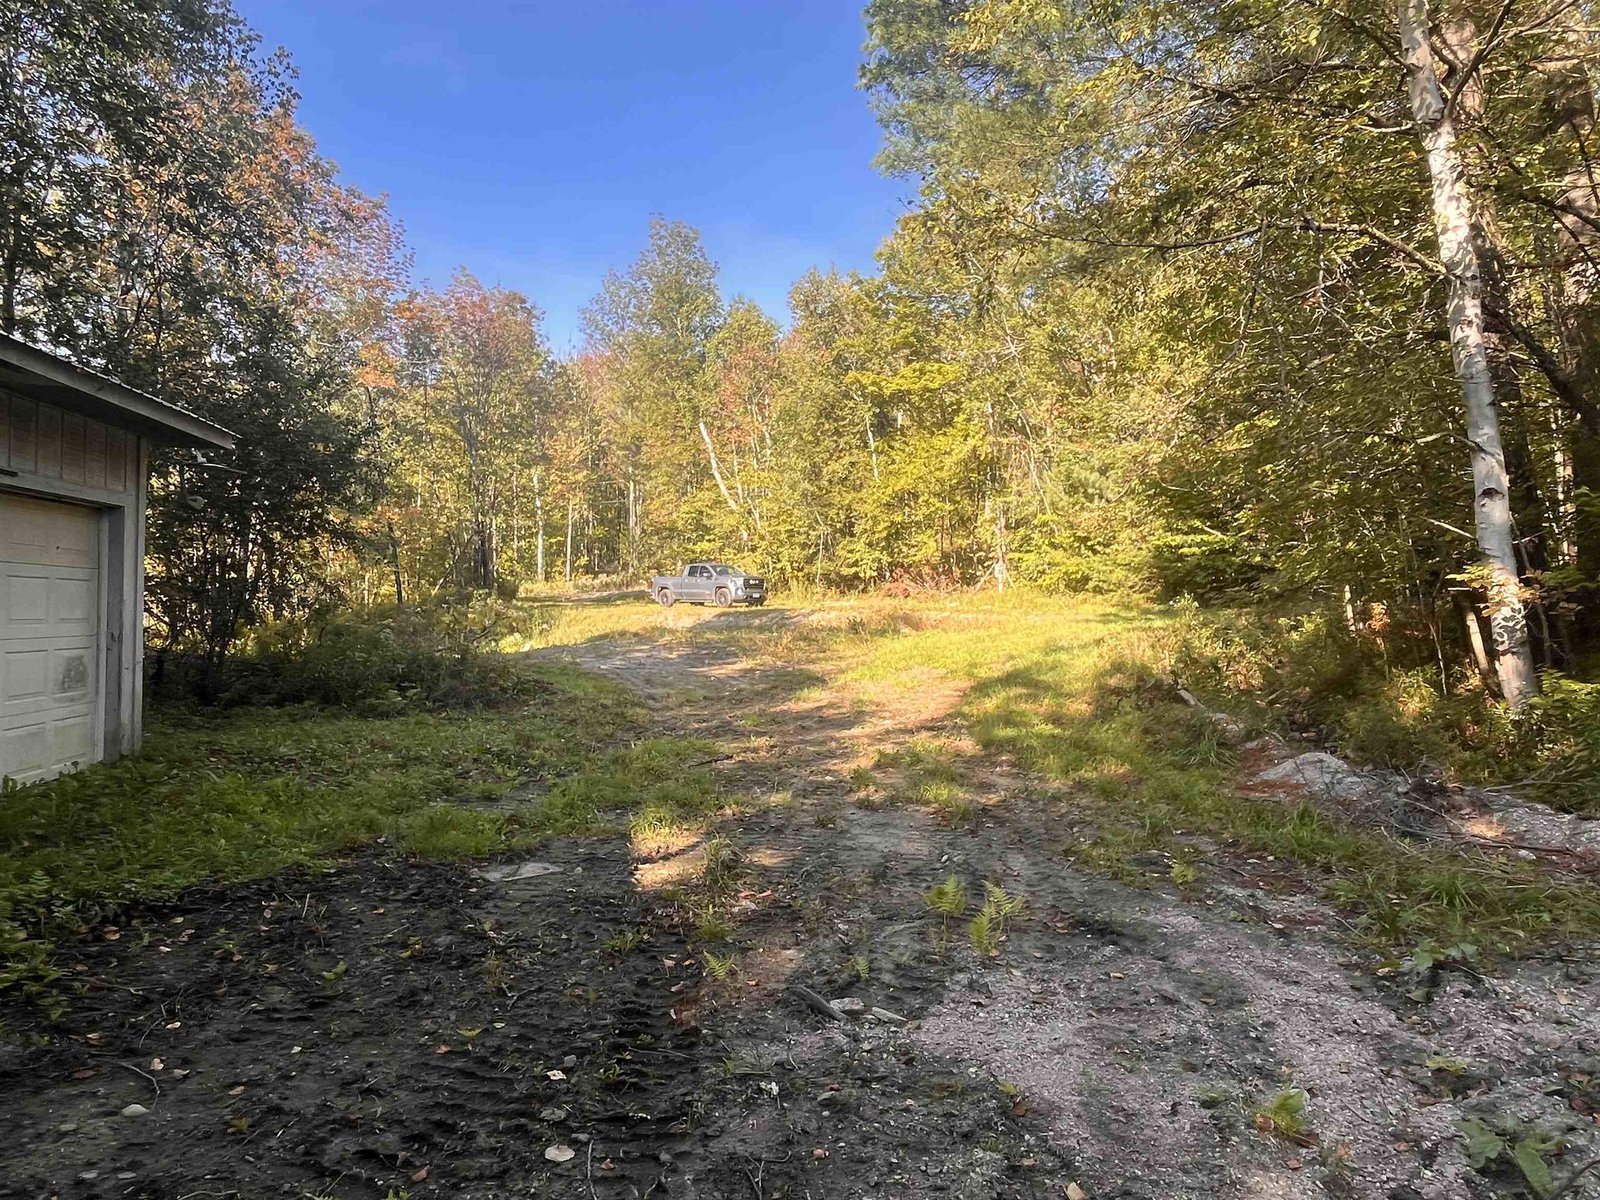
(534, 142)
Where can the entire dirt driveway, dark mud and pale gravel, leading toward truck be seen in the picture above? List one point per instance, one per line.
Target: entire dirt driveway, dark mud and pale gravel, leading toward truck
(396, 1030)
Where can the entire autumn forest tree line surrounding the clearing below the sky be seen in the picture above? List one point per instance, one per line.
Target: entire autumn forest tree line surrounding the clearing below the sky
(1175, 316)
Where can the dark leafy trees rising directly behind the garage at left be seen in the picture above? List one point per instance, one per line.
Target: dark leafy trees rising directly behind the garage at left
(167, 222)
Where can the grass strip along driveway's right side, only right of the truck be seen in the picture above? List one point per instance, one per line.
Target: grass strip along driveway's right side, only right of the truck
(1073, 692)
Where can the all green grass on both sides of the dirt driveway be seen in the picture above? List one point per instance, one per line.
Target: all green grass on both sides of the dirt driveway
(1070, 690)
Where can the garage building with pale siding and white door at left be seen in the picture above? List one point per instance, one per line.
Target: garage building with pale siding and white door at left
(74, 462)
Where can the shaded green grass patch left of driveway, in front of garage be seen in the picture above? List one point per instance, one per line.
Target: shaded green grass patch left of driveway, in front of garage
(249, 793)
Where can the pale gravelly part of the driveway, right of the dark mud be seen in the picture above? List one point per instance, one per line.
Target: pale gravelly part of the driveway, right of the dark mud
(1142, 1026)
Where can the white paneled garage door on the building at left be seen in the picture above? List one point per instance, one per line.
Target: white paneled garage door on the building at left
(50, 626)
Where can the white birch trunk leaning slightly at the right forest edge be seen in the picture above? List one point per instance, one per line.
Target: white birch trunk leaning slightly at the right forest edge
(1492, 487)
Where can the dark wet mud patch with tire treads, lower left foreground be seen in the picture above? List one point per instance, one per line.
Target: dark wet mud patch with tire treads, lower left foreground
(383, 1028)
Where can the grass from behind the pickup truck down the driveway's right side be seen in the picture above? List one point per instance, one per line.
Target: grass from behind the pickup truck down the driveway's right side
(1073, 690)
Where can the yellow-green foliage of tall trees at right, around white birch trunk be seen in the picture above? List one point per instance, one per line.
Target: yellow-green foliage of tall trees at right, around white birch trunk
(1202, 289)
